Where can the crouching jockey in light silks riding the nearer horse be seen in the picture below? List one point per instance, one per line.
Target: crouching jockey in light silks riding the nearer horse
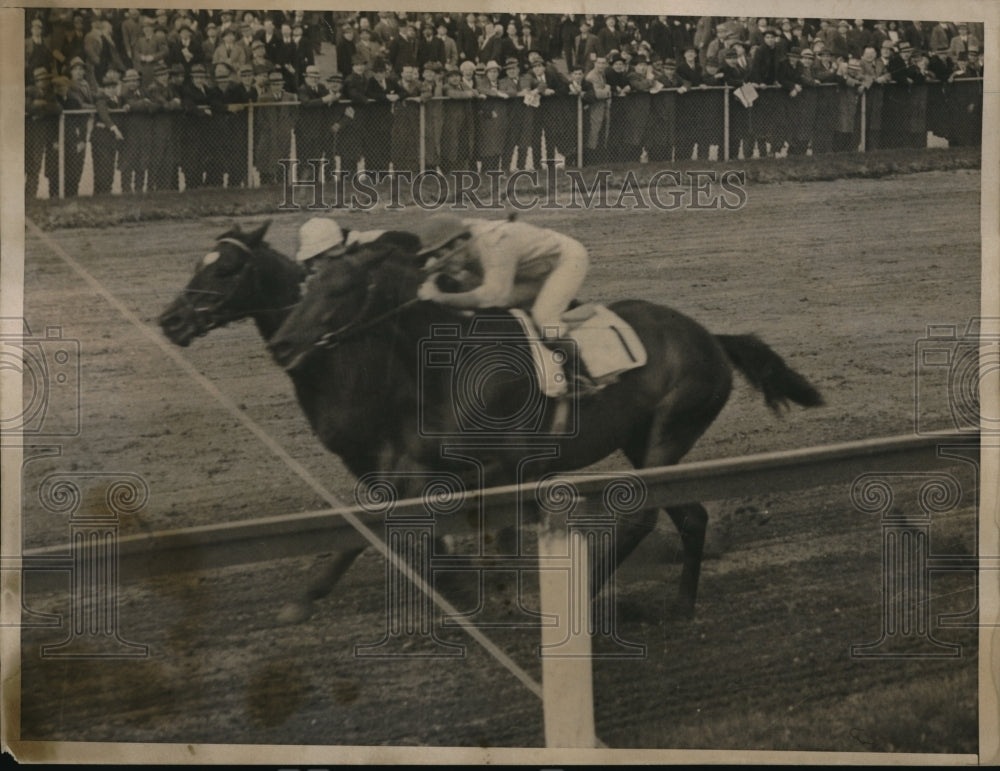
(520, 266)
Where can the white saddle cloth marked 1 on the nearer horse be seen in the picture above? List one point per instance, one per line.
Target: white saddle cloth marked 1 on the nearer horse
(606, 346)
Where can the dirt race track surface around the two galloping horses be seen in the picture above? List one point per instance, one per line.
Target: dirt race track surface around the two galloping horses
(841, 278)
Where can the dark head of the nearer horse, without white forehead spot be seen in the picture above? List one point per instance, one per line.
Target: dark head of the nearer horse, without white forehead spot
(349, 296)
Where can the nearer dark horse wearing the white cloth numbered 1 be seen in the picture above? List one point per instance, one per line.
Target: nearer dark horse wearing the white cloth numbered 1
(396, 406)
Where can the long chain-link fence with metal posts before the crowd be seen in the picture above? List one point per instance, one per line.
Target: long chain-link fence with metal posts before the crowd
(75, 152)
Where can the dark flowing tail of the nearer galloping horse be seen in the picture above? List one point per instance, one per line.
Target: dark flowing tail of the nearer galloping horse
(768, 373)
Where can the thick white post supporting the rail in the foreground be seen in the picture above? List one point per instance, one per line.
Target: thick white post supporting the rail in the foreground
(567, 678)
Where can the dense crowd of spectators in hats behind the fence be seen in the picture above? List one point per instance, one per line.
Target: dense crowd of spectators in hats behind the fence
(505, 80)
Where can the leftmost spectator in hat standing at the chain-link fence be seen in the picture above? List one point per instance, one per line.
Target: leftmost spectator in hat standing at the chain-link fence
(41, 133)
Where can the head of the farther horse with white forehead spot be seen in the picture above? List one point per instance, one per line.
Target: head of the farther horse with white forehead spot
(239, 278)
